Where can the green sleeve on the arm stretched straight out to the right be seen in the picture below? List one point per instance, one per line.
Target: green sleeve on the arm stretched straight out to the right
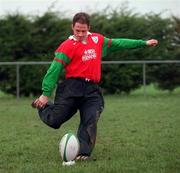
(112, 45)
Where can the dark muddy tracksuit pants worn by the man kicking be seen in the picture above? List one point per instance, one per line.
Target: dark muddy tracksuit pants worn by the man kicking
(72, 95)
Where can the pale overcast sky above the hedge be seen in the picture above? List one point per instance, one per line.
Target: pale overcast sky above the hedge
(69, 7)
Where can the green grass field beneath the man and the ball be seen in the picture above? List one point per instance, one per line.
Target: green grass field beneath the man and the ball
(136, 134)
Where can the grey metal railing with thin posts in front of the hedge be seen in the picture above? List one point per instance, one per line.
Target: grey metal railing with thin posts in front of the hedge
(18, 64)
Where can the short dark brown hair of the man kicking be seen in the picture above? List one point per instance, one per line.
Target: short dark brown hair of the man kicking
(82, 18)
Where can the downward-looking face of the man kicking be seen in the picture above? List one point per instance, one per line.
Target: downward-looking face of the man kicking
(80, 31)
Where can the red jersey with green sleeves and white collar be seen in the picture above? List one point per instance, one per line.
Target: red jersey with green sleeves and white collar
(83, 59)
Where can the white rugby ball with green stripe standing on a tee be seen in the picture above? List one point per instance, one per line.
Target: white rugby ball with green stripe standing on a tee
(69, 147)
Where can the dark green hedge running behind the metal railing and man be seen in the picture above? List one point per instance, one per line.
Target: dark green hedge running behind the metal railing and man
(34, 38)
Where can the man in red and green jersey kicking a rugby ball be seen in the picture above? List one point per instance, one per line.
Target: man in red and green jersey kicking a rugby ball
(80, 55)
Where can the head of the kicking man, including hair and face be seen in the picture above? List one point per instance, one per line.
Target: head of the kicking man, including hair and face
(81, 25)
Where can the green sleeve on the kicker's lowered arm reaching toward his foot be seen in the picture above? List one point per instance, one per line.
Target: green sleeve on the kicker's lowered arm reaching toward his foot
(52, 75)
